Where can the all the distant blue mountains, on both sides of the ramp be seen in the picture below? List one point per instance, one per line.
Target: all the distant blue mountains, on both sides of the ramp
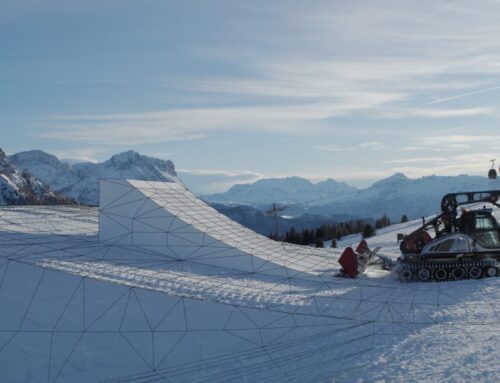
(393, 196)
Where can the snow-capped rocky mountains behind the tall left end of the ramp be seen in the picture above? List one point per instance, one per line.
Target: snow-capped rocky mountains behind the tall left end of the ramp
(81, 181)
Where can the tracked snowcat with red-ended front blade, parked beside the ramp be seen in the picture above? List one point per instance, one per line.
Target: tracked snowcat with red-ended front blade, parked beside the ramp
(453, 245)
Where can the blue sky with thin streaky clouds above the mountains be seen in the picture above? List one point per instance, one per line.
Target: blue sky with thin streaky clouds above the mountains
(233, 91)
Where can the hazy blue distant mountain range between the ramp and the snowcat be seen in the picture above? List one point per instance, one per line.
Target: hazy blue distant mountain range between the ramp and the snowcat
(394, 196)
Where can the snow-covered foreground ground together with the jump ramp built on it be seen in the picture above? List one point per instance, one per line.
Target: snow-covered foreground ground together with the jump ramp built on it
(79, 304)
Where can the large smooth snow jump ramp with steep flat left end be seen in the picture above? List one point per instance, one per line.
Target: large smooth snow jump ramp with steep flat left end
(166, 218)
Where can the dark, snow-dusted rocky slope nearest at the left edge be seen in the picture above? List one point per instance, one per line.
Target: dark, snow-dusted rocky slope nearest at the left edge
(22, 188)
